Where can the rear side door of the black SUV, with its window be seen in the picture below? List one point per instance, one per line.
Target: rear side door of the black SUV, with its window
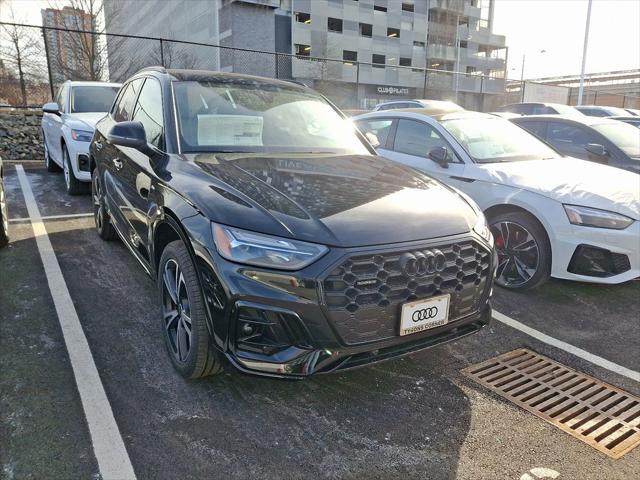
(114, 157)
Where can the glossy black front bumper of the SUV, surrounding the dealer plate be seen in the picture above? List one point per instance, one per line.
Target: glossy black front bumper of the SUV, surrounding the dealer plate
(280, 324)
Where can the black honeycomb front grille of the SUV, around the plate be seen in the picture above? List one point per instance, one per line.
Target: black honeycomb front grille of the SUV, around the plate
(364, 294)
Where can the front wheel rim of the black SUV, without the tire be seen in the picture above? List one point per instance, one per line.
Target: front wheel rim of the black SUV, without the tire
(176, 310)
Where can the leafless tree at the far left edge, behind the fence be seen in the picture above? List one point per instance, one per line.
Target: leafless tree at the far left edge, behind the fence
(21, 51)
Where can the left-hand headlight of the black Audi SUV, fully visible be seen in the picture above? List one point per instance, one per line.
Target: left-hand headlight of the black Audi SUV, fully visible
(264, 250)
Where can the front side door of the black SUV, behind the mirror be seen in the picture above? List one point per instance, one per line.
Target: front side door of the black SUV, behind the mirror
(136, 171)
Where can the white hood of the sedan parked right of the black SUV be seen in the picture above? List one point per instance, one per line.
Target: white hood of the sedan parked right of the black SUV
(572, 181)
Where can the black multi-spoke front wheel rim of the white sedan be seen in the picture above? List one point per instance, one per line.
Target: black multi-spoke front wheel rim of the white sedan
(518, 254)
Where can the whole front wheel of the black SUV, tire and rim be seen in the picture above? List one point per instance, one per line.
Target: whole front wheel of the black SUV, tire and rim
(181, 299)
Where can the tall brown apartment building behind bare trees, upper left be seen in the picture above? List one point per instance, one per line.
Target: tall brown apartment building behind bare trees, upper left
(69, 54)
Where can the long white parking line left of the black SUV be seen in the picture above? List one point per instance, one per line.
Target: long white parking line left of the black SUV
(109, 449)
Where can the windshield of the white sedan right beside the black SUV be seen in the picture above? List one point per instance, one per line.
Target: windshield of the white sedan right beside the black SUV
(493, 139)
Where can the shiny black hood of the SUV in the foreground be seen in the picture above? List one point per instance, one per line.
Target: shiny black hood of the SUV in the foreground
(339, 200)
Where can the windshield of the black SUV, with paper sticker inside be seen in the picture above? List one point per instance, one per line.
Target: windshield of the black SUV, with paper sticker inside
(235, 116)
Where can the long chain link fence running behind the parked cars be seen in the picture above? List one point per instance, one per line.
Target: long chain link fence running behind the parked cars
(34, 61)
